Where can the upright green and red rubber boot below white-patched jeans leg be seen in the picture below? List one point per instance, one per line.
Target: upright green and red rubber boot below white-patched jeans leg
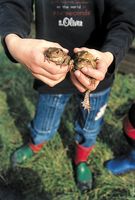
(83, 173)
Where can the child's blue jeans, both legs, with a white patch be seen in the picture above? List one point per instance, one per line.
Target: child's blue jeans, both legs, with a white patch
(87, 125)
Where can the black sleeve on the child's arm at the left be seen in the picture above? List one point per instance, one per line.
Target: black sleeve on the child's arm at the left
(15, 17)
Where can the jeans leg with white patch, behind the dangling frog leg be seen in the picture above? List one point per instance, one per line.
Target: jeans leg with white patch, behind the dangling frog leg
(88, 124)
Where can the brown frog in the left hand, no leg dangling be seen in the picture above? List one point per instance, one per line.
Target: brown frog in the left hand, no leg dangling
(58, 56)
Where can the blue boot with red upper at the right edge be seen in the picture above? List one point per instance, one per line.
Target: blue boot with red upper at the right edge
(125, 163)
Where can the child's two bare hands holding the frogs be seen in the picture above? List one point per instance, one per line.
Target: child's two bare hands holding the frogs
(30, 52)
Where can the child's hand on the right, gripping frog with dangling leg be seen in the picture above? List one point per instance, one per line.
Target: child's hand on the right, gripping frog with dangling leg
(80, 78)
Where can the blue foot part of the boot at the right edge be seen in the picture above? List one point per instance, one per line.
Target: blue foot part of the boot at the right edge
(123, 164)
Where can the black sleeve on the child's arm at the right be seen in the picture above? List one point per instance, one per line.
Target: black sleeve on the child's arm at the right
(119, 27)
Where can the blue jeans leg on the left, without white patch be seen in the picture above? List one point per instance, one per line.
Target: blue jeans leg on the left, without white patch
(47, 117)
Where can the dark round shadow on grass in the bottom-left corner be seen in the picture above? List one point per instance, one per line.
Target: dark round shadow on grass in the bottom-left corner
(22, 184)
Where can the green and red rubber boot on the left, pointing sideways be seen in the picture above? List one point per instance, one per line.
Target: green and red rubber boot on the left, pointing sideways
(24, 153)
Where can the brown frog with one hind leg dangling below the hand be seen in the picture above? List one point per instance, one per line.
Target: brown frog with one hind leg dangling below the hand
(85, 59)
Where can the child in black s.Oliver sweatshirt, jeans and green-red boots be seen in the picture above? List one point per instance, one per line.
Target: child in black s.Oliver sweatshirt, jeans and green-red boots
(104, 28)
